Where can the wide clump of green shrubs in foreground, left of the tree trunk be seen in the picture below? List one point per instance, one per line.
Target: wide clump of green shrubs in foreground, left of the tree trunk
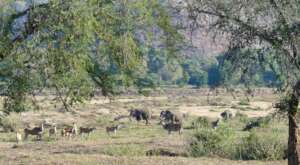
(260, 144)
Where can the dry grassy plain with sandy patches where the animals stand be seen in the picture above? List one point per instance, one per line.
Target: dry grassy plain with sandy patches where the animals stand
(134, 140)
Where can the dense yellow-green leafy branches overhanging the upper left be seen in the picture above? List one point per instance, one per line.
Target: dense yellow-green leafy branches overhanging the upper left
(71, 46)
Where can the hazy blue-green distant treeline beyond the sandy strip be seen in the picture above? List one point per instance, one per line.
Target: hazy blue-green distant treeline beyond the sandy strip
(203, 71)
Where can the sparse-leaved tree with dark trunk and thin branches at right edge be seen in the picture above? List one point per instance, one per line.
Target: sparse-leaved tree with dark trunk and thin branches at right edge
(272, 29)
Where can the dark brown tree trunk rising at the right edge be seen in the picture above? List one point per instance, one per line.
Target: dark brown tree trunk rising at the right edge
(293, 143)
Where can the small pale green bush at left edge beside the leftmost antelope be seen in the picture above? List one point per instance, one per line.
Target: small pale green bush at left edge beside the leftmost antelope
(11, 122)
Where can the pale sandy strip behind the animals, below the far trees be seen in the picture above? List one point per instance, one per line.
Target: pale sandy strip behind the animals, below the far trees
(102, 106)
